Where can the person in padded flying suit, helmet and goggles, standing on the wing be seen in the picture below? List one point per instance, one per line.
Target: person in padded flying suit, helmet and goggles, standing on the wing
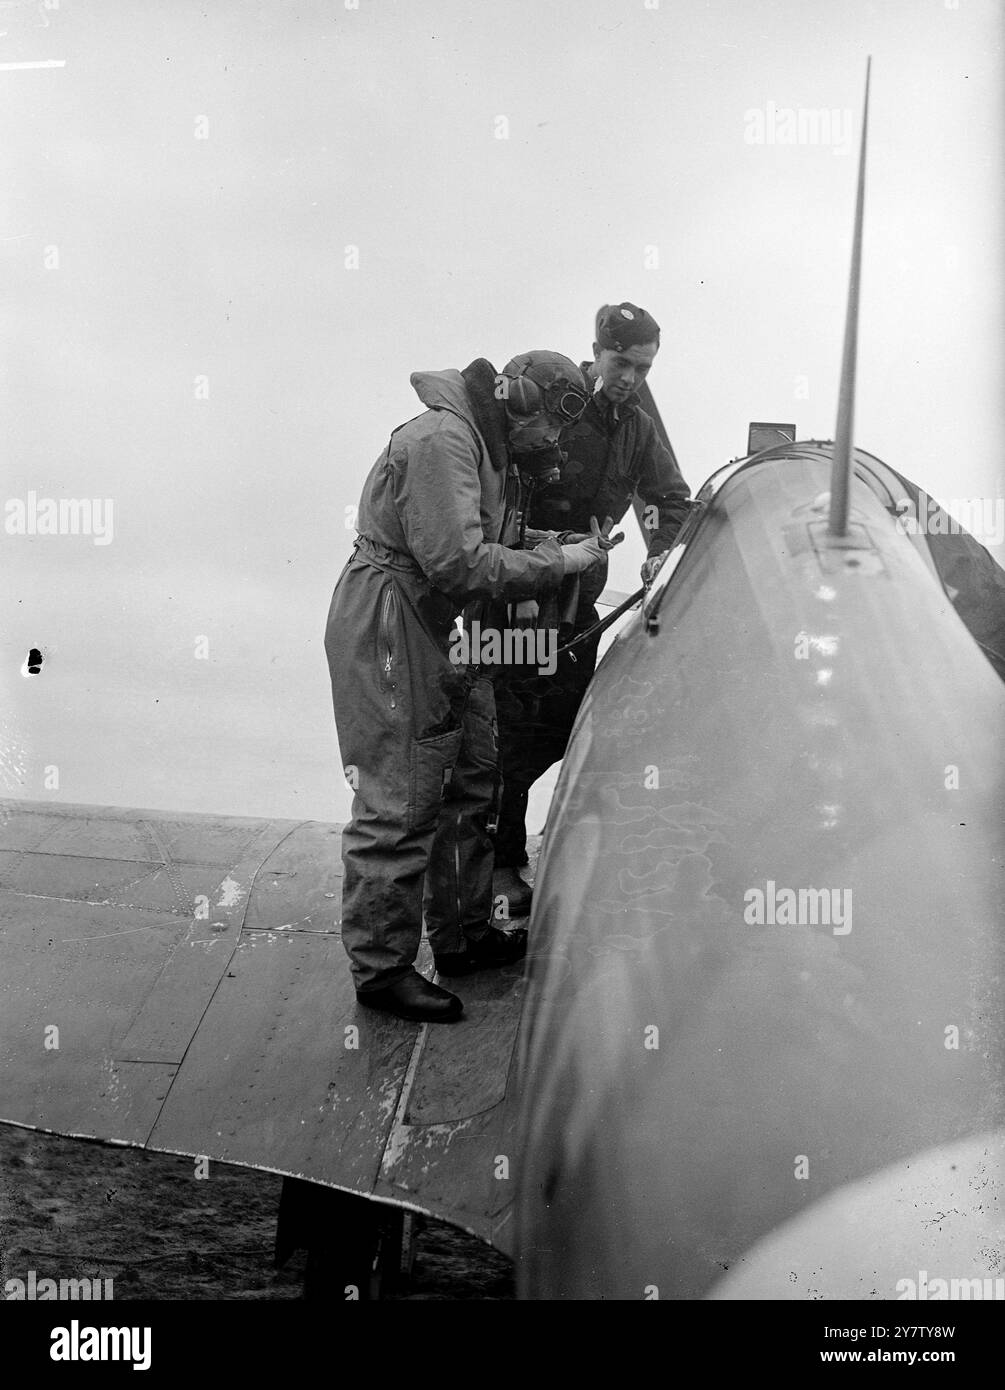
(416, 728)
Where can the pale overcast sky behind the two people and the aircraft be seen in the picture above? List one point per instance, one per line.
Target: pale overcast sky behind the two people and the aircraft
(230, 233)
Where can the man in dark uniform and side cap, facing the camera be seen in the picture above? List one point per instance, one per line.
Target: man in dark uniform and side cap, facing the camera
(614, 454)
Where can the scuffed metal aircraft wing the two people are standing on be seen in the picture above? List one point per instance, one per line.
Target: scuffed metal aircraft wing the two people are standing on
(179, 983)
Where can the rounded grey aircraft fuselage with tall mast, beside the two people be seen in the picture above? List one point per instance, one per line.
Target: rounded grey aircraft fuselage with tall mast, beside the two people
(778, 829)
